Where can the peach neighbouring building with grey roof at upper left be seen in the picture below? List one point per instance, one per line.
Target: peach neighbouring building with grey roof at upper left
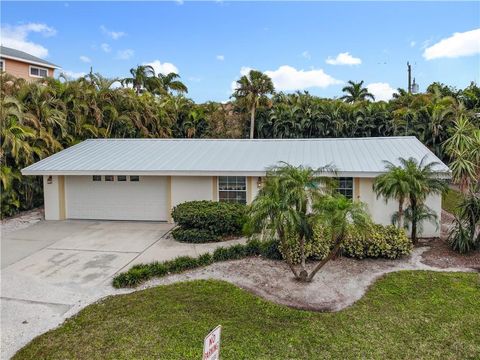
(23, 65)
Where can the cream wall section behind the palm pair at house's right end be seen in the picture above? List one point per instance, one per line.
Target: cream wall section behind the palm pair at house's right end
(382, 211)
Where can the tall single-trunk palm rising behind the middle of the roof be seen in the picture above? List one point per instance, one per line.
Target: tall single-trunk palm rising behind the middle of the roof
(252, 89)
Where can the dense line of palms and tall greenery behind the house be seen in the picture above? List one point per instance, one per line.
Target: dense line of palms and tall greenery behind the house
(42, 117)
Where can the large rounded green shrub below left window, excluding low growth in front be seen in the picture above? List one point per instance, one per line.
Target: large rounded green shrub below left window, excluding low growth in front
(219, 218)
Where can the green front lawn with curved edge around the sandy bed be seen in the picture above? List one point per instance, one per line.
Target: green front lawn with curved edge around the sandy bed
(405, 315)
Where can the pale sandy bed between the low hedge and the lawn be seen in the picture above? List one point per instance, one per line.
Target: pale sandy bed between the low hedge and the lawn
(340, 283)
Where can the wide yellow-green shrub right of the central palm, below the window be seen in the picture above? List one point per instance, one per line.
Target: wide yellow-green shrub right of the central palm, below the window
(378, 242)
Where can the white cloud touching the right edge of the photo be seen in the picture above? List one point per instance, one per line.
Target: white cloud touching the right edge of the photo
(459, 44)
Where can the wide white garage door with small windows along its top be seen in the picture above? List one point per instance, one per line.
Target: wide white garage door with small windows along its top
(122, 198)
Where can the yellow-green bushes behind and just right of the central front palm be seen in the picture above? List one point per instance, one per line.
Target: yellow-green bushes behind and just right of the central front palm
(377, 241)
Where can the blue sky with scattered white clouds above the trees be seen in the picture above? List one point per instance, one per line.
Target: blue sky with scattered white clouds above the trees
(313, 46)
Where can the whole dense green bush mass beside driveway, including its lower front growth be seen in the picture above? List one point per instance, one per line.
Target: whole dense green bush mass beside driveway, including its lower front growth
(207, 221)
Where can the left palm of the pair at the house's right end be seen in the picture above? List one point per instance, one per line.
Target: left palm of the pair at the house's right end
(393, 184)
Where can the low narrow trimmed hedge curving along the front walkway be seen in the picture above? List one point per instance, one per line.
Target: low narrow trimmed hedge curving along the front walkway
(143, 272)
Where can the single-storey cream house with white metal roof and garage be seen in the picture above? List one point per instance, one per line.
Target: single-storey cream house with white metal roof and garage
(142, 179)
